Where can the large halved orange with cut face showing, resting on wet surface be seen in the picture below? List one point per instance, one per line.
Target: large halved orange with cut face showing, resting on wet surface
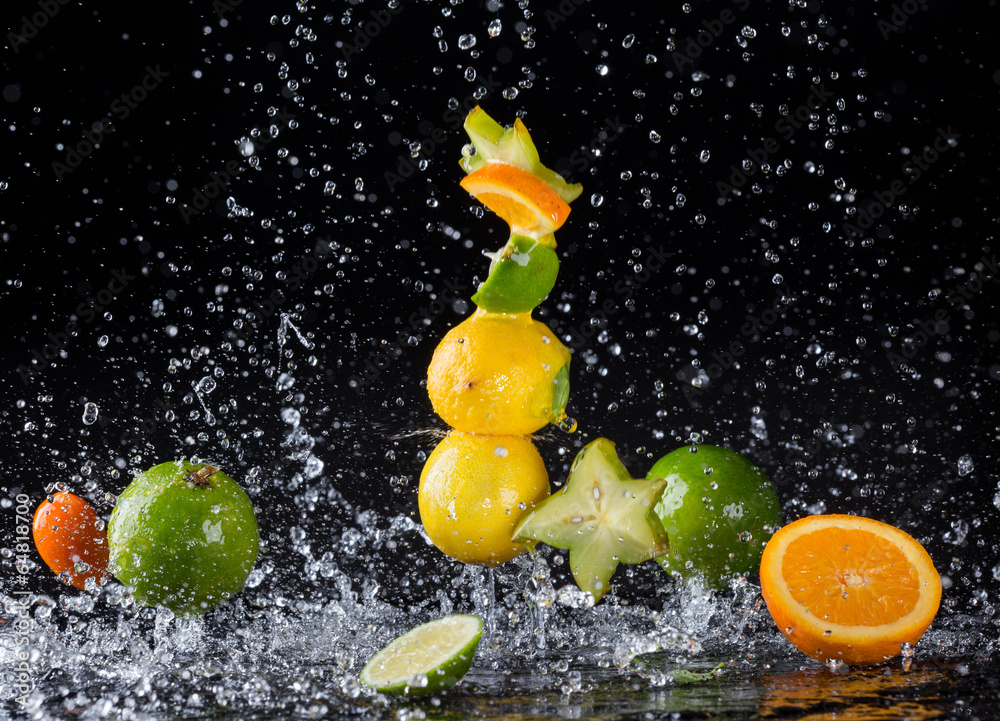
(849, 588)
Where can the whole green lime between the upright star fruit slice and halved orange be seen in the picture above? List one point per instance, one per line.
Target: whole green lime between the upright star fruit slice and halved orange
(718, 509)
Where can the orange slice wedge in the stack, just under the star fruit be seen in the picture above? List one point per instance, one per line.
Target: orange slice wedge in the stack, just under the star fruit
(529, 205)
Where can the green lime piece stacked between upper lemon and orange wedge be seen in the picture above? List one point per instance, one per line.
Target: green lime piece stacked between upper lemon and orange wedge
(521, 275)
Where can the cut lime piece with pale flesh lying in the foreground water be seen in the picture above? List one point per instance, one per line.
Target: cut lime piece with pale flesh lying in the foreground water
(429, 658)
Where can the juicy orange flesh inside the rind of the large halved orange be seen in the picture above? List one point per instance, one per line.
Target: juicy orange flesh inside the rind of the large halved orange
(850, 577)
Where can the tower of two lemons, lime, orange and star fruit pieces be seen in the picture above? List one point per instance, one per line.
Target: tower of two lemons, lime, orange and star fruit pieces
(500, 375)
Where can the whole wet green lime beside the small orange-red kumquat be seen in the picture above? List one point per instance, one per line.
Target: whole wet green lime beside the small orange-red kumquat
(183, 535)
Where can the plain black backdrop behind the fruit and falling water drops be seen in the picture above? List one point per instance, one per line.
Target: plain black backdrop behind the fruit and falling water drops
(888, 439)
